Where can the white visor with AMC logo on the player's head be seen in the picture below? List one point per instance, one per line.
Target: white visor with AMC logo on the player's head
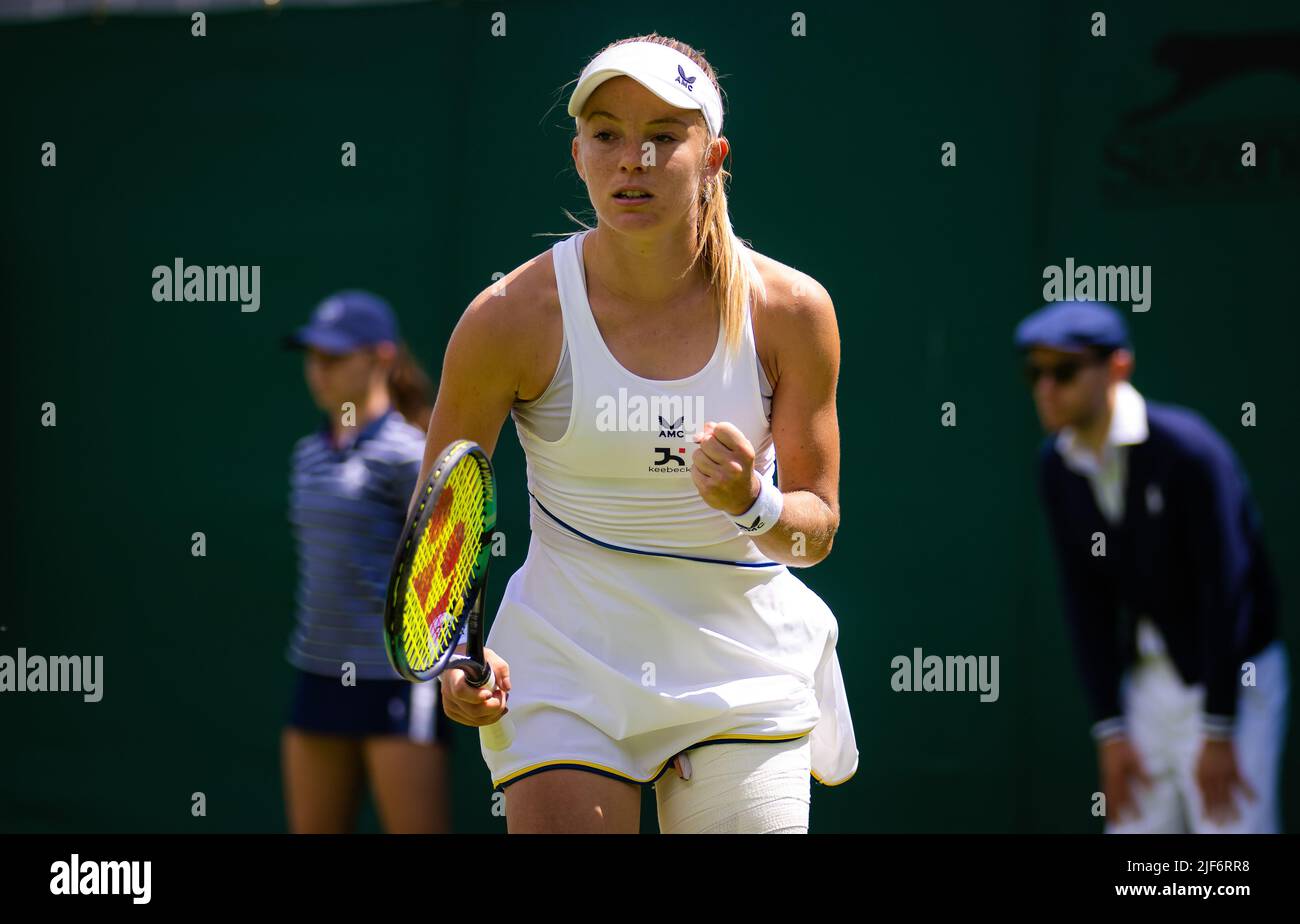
(665, 72)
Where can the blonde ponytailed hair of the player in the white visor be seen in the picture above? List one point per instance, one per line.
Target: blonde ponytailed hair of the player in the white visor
(727, 259)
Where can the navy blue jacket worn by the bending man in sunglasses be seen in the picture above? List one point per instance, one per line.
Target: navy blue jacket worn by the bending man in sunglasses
(1189, 554)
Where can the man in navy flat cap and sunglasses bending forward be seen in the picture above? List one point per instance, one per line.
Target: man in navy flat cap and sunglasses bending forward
(1169, 595)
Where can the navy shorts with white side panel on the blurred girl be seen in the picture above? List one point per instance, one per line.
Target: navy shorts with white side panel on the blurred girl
(374, 708)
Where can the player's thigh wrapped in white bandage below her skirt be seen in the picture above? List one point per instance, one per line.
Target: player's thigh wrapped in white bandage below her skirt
(751, 788)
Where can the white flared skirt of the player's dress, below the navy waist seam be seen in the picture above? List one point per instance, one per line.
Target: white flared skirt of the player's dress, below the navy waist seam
(619, 662)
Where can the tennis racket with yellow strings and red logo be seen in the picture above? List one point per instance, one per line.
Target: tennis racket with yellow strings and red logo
(440, 579)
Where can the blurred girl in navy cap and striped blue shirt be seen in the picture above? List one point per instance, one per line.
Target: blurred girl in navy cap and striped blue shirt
(353, 718)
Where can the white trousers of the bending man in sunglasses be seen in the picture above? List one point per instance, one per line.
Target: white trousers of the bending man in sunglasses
(1164, 715)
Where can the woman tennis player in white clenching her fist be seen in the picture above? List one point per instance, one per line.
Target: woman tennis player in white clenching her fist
(656, 634)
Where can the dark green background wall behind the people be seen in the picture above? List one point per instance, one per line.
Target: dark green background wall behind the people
(226, 150)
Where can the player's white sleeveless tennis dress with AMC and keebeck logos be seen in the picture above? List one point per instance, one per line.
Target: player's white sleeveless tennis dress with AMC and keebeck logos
(643, 622)
